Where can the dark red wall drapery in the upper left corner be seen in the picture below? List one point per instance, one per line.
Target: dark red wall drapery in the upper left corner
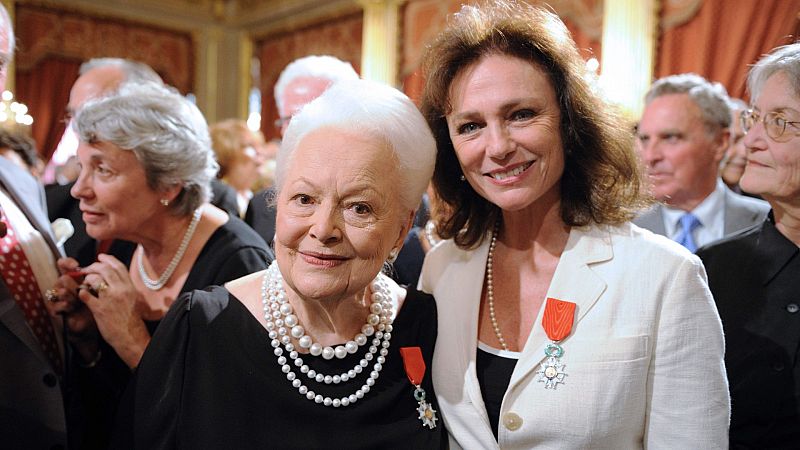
(51, 44)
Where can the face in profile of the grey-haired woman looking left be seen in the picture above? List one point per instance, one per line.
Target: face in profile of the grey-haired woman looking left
(115, 199)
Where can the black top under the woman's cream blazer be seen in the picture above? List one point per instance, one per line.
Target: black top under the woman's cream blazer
(494, 374)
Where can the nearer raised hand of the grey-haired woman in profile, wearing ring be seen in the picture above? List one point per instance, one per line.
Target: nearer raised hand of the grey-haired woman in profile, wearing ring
(114, 303)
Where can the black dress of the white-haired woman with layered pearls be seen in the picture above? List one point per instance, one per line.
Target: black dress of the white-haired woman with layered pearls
(210, 380)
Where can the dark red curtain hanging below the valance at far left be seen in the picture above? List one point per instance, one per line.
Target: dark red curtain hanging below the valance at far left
(45, 90)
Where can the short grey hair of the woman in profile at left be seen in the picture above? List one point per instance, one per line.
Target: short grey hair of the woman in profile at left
(166, 132)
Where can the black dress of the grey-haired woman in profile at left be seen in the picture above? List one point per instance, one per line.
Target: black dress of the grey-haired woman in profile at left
(232, 251)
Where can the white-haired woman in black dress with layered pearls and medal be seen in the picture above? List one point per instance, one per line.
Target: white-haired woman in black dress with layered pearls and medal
(329, 352)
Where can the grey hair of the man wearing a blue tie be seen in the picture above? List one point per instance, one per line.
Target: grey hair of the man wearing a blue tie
(710, 98)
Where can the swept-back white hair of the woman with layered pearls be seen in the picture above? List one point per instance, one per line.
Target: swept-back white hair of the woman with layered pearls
(374, 109)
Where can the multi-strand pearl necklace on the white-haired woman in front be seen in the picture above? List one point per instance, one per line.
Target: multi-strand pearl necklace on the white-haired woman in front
(283, 325)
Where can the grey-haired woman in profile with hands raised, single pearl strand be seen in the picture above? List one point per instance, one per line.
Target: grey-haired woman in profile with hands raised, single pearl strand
(146, 167)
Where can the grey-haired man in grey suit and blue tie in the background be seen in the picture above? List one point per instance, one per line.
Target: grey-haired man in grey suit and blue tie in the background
(682, 136)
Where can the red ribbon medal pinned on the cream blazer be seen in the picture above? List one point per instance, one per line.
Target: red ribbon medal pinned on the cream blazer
(557, 323)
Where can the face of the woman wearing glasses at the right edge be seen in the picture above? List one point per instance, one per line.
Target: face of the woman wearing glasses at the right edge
(773, 168)
